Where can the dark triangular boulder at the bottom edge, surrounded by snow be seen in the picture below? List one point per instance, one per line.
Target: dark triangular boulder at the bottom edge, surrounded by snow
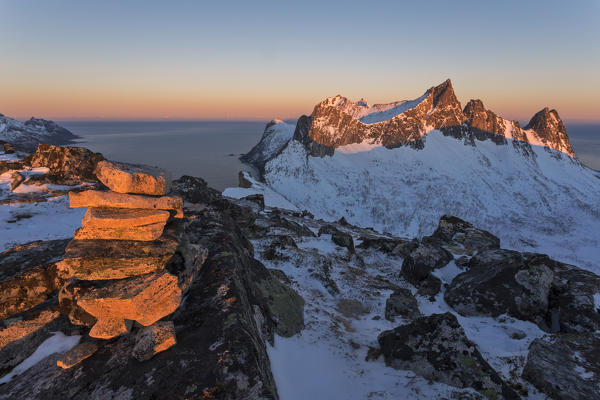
(437, 348)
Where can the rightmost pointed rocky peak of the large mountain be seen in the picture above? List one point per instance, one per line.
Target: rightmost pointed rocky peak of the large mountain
(551, 130)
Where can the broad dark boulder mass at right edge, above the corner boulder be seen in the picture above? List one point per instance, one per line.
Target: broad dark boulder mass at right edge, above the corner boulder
(531, 287)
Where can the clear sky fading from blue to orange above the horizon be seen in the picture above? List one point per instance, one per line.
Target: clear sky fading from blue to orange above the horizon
(257, 60)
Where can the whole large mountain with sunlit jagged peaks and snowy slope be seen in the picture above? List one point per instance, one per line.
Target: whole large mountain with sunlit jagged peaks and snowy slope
(399, 167)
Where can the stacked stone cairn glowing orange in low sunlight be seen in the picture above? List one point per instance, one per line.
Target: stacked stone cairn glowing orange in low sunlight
(116, 264)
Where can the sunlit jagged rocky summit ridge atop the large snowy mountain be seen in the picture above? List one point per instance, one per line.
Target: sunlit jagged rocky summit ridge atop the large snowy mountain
(338, 121)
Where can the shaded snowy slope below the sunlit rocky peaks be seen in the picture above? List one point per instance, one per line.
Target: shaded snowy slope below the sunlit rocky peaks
(543, 202)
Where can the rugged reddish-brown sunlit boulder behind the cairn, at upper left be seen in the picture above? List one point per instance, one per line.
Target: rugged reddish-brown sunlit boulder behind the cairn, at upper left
(68, 165)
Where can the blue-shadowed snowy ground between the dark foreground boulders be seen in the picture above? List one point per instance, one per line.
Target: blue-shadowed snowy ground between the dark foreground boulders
(344, 314)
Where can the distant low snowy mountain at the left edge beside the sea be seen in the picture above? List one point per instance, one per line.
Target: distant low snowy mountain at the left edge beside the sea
(26, 135)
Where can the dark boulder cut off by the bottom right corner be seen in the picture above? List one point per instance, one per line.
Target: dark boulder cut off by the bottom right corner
(565, 366)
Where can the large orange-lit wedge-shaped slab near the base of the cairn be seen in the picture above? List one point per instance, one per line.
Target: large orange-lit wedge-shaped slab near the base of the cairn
(144, 299)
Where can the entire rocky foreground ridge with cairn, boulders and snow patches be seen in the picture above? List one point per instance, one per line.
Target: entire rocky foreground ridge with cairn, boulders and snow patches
(203, 302)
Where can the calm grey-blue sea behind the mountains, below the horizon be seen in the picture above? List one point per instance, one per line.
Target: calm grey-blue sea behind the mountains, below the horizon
(211, 149)
